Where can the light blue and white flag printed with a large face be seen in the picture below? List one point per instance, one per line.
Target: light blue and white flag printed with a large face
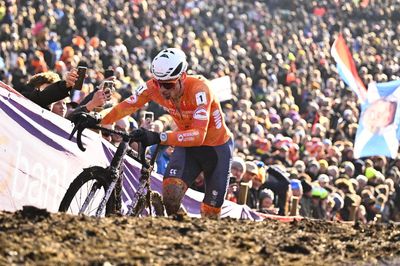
(378, 132)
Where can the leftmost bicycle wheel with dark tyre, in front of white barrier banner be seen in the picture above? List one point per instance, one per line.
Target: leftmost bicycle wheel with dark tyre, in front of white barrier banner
(89, 186)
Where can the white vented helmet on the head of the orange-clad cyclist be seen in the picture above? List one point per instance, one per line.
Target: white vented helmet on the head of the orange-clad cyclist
(169, 64)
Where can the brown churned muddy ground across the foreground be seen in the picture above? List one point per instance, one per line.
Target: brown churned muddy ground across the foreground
(38, 237)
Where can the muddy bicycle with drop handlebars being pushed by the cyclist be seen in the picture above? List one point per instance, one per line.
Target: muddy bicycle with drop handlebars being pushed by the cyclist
(85, 188)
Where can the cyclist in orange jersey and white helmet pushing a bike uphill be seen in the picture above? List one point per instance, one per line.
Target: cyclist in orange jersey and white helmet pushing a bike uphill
(202, 141)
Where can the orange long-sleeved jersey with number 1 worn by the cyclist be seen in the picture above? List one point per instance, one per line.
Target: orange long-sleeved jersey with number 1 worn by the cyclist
(199, 116)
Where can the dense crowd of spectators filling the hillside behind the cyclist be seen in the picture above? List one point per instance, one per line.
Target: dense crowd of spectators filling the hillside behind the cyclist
(293, 118)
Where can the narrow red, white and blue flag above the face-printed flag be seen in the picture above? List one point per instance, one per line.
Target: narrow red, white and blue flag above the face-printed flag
(347, 68)
